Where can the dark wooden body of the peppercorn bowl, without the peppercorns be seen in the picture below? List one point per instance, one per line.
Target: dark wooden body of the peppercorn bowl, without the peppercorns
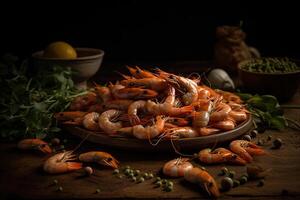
(281, 85)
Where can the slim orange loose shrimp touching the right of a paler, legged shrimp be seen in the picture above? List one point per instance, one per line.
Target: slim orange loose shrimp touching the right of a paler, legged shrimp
(99, 157)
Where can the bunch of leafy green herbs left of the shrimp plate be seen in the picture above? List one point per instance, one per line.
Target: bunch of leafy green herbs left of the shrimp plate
(29, 100)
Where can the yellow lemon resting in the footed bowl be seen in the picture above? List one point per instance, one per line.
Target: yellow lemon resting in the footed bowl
(60, 50)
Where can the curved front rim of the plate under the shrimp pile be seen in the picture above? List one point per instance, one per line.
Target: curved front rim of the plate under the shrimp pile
(185, 144)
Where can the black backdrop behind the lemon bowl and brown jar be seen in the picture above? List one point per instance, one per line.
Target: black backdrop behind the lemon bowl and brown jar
(131, 31)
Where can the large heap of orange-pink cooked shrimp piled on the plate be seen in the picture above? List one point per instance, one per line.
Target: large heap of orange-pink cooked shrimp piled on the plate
(158, 104)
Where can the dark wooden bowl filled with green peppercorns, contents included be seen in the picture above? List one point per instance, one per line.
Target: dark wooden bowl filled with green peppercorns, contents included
(274, 76)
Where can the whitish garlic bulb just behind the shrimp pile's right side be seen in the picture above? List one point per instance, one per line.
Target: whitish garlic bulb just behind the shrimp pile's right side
(219, 79)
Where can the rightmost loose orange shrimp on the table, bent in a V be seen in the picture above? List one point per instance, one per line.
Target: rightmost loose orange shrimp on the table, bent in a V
(246, 149)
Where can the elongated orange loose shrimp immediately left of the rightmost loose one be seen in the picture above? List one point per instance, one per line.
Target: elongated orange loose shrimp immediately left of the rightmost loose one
(219, 155)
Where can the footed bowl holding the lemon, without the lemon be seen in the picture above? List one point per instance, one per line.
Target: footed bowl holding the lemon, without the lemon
(86, 64)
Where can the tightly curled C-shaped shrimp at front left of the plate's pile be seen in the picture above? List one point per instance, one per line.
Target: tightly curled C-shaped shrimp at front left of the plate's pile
(105, 121)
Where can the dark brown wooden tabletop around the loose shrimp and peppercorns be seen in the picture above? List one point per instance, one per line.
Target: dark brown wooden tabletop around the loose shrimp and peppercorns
(22, 176)
